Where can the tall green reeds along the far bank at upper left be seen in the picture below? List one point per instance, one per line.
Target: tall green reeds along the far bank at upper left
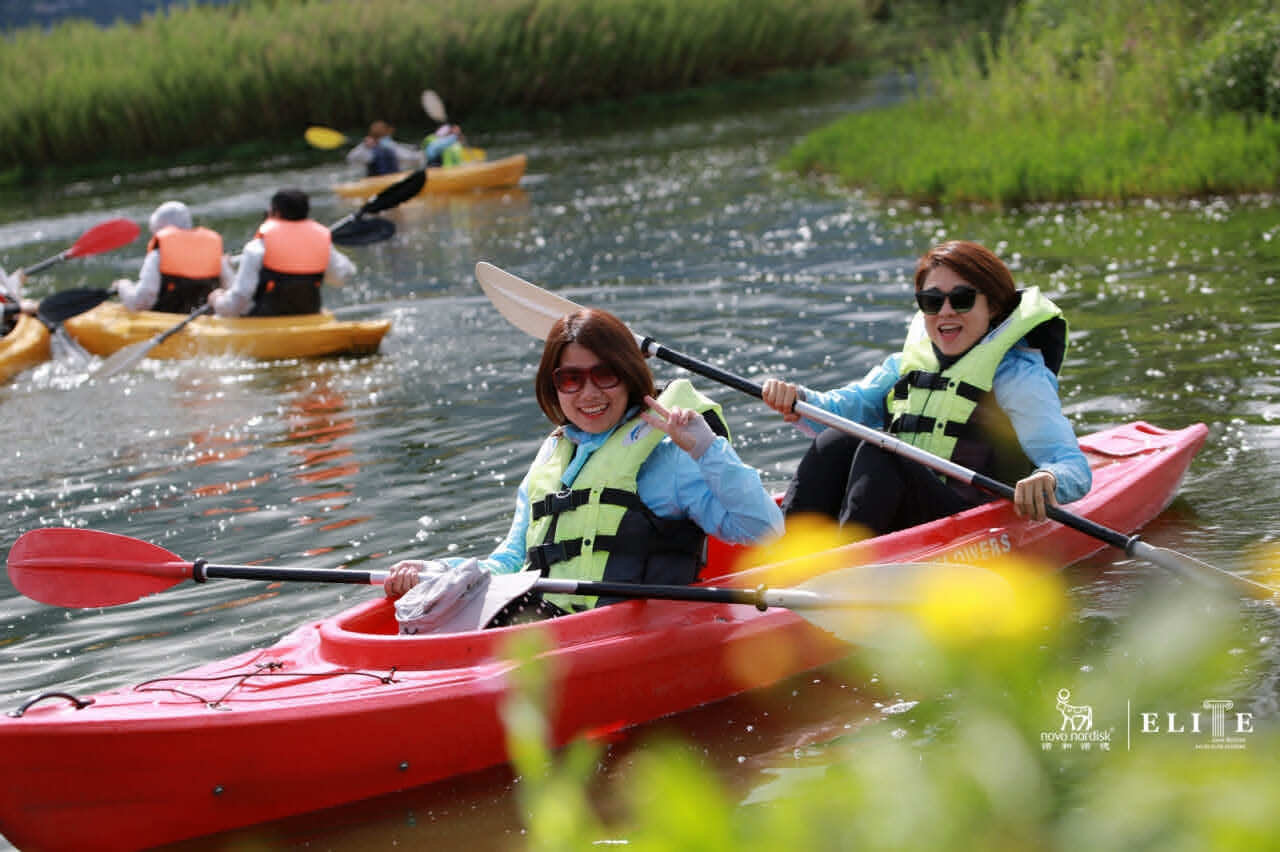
(211, 77)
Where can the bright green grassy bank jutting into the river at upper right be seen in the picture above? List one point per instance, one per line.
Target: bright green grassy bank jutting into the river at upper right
(1078, 100)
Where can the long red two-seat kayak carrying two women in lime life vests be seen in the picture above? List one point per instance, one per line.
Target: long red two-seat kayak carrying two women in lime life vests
(346, 709)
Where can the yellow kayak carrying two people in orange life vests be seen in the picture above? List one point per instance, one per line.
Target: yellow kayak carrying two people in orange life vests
(109, 328)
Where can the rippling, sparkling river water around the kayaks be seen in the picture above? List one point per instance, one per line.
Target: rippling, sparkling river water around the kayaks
(685, 230)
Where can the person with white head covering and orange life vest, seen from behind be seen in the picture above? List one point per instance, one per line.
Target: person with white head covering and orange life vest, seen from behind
(182, 267)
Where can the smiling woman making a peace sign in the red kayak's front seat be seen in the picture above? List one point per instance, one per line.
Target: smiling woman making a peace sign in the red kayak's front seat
(629, 484)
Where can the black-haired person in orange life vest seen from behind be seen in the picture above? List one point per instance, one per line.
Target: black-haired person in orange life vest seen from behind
(284, 267)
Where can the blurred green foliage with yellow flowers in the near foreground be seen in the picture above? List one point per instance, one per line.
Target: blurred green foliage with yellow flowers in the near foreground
(980, 762)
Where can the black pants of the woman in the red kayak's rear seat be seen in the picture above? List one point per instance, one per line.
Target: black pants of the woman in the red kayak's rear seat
(856, 483)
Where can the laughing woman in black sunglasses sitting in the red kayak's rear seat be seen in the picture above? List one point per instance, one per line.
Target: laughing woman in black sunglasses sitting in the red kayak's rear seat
(976, 383)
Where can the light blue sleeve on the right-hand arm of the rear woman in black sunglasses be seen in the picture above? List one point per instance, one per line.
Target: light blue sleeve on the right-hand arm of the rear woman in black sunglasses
(1027, 391)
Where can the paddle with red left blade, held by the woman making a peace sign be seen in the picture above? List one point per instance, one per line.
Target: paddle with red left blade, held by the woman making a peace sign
(89, 569)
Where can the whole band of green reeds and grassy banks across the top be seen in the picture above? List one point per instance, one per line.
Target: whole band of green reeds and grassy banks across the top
(1018, 103)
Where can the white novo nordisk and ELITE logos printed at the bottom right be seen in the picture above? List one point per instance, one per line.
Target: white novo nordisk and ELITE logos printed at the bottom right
(1215, 730)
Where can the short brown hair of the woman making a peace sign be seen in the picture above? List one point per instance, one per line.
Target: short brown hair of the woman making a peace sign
(610, 340)
